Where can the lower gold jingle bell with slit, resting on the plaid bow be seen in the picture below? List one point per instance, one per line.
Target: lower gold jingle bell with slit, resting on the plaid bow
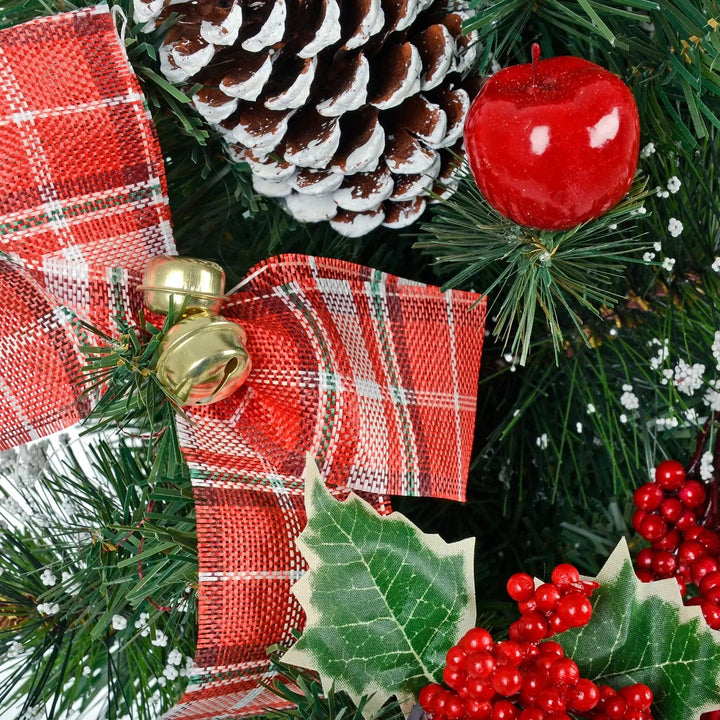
(203, 359)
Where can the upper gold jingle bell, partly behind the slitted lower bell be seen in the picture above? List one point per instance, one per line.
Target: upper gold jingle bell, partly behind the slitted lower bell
(181, 282)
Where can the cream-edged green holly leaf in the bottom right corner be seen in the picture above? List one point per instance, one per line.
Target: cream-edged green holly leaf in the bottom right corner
(641, 632)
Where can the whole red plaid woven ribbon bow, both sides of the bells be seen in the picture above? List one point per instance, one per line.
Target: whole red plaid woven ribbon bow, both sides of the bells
(376, 376)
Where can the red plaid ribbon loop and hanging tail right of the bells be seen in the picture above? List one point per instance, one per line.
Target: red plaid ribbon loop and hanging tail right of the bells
(377, 378)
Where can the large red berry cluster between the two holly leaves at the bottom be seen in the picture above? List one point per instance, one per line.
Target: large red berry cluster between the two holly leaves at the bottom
(527, 677)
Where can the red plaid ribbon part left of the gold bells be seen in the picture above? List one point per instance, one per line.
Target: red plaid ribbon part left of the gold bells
(82, 191)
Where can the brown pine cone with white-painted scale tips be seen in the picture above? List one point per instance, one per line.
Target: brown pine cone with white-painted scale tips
(350, 112)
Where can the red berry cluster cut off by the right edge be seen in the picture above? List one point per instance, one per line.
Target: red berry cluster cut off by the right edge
(670, 515)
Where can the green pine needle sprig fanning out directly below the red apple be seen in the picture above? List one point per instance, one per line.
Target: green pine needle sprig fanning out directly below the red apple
(525, 272)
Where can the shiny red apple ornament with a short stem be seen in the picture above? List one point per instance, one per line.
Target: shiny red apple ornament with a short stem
(553, 143)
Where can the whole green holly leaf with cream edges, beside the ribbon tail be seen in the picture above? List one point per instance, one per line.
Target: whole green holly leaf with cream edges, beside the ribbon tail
(384, 601)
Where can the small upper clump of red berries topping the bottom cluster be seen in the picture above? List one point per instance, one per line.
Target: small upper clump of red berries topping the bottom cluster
(552, 607)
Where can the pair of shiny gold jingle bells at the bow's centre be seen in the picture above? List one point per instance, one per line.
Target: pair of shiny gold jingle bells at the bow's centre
(203, 357)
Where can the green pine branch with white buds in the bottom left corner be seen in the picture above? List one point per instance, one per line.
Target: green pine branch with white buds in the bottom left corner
(97, 604)
